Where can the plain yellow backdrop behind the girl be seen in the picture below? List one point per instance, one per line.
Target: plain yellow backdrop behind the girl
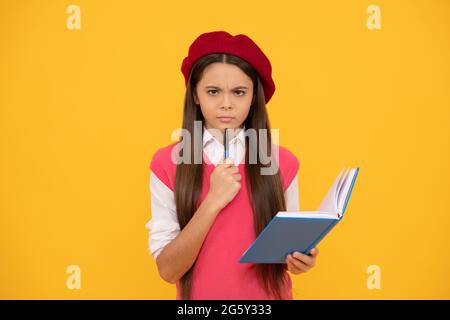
(83, 111)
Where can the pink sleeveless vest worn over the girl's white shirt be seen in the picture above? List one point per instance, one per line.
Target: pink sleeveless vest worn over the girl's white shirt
(217, 272)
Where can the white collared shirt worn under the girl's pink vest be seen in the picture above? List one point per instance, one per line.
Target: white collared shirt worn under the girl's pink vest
(163, 226)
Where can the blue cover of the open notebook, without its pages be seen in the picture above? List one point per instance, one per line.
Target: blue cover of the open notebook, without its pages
(284, 235)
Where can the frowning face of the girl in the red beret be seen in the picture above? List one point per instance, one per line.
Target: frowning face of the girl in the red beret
(224, 93)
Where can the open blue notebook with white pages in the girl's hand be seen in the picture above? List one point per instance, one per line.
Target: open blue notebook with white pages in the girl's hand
(303, 230)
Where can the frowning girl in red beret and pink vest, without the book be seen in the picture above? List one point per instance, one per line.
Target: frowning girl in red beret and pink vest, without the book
(205, 215)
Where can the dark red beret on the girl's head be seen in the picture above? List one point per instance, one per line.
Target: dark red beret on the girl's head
(239, 45)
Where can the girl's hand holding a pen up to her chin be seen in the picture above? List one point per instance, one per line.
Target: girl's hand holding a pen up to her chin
(224, 183)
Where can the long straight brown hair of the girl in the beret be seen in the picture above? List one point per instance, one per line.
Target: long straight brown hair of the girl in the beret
(265, 192)
